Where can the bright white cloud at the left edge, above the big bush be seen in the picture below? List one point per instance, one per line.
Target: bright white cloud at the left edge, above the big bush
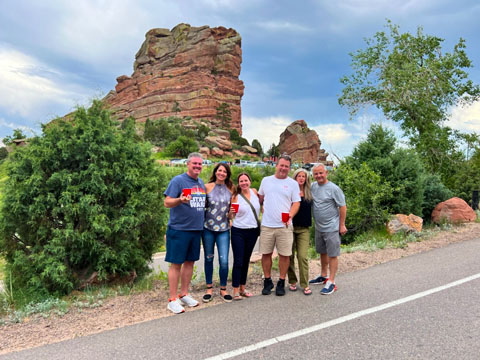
(27, 84)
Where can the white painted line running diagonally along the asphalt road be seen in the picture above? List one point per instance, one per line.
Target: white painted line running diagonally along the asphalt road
(305, 331)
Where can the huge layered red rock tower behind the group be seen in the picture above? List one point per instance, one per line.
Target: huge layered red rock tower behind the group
(186, 71)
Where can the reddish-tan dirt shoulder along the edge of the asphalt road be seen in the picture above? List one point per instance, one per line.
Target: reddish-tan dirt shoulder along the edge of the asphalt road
(126, 310)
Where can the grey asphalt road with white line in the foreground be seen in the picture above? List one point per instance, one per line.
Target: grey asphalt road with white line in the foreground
(383, 312)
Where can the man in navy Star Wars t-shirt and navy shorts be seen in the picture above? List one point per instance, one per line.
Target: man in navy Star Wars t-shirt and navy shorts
(184, 230)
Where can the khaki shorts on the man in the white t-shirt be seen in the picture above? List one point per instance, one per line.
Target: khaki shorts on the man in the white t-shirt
(282, 238)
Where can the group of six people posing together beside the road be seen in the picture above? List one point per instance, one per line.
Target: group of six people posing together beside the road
(220, 213)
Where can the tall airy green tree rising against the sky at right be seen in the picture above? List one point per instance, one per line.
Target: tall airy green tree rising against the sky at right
(412, 81)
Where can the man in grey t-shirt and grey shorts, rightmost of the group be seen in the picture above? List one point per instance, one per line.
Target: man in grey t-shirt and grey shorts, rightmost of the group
(329, 213)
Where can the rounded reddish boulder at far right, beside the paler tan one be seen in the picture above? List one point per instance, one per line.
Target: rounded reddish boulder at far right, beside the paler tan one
(454, 210)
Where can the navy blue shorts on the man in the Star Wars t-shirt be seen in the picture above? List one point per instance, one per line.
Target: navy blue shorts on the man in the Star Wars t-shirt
(182, 246)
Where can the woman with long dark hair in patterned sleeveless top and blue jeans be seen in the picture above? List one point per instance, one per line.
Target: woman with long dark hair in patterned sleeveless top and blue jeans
(217, 228)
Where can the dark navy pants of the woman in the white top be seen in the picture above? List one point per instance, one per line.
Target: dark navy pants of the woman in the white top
(243, 241)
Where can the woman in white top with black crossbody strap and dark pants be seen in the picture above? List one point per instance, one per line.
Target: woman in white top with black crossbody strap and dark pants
(245, 231)
